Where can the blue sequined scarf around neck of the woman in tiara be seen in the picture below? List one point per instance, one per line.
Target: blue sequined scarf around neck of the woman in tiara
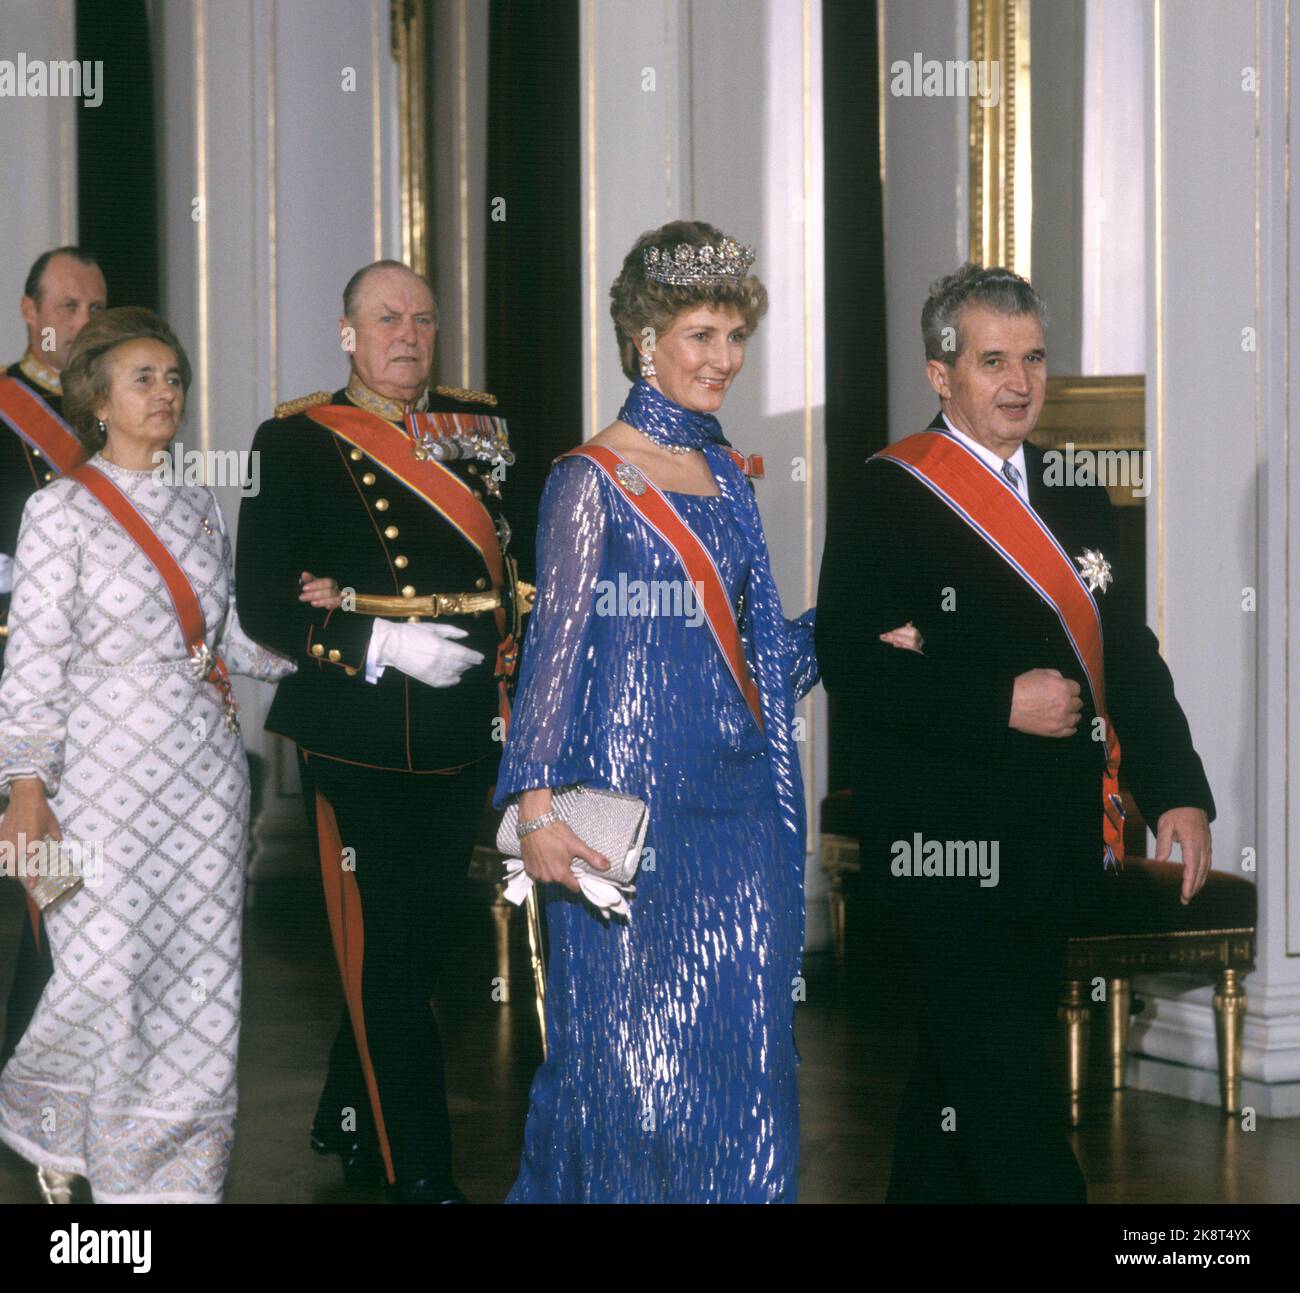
(666, 423)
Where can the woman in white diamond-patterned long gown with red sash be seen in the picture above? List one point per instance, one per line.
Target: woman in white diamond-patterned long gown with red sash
(127, 1075)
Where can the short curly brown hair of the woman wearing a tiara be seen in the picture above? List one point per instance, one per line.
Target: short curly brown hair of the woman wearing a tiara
(636, 303)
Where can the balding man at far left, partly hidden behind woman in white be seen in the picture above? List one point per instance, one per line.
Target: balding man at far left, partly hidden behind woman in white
(64, 288)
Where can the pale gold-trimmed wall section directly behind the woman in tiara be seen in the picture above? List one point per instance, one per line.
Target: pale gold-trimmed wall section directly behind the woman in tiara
(714, 112)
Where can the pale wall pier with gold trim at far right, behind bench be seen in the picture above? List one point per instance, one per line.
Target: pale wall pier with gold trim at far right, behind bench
(1223, 543)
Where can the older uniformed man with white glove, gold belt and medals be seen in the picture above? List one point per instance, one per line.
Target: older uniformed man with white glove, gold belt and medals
(400, 698)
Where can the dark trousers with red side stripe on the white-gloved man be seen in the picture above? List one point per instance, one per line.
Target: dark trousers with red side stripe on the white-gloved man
(411, 839)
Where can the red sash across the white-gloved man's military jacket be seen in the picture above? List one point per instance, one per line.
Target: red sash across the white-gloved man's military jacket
(441, 489)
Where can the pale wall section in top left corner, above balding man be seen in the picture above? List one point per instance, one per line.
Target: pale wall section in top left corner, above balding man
(38, 142)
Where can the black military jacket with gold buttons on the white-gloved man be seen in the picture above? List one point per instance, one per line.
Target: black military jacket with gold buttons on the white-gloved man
(327, 507)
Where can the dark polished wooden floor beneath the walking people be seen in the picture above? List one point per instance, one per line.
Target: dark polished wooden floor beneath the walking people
(1134, 1148)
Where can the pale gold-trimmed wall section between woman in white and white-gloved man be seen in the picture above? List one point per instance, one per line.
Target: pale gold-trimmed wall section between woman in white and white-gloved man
(278, 181)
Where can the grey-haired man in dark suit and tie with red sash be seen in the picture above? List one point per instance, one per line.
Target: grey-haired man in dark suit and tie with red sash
(982, 763)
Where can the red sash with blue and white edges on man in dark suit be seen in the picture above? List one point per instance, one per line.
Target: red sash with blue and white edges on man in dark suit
(999, 515)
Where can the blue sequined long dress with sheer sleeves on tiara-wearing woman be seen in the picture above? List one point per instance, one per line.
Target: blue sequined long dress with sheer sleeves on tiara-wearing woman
(673, 1066)
